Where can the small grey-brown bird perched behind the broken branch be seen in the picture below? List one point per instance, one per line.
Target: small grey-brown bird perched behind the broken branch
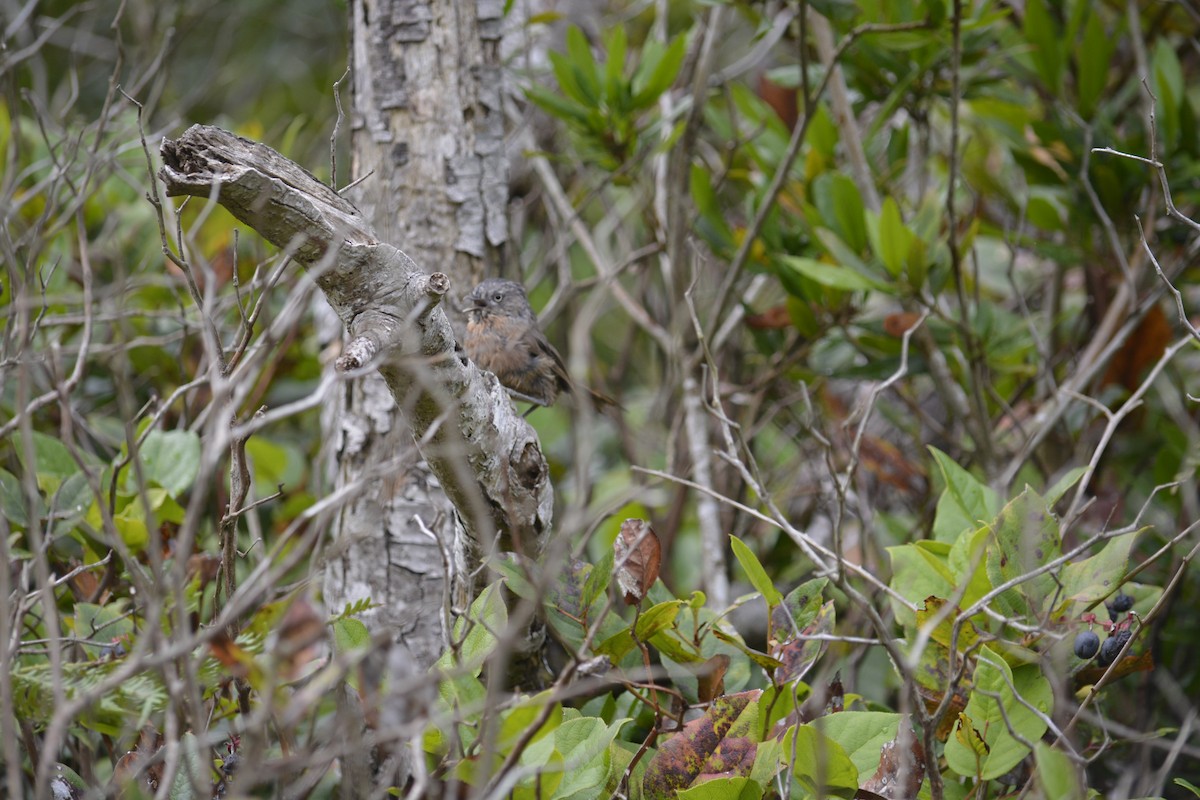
(503, 338)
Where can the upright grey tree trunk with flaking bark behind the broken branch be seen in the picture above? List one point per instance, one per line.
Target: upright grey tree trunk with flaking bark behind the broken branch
(428, 147)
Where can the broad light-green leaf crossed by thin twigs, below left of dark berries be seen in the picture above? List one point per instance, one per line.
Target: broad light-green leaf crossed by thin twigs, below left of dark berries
(994, 695)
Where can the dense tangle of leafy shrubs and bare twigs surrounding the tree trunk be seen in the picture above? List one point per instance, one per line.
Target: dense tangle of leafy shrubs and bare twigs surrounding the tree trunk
(896, 294)
